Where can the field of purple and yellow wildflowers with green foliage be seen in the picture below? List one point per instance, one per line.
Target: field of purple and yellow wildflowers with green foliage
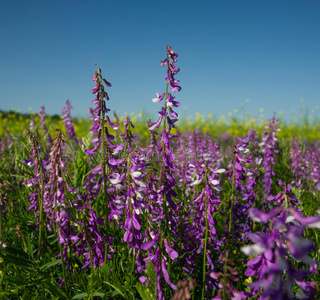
(127, 208)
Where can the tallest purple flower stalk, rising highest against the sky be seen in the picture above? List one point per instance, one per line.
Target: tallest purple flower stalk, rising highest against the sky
(167, 182)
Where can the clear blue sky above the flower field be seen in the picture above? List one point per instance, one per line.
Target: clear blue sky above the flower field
(229, 51)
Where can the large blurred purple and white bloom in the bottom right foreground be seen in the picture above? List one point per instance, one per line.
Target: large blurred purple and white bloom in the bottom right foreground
(276, 250)
